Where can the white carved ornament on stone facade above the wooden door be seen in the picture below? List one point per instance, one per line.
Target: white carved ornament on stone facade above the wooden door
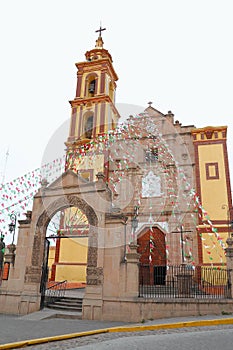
(151, 185)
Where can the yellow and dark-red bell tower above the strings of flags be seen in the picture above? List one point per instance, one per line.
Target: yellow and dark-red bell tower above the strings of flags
(93, 109)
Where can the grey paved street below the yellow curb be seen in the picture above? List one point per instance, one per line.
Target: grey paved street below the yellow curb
(206, 338)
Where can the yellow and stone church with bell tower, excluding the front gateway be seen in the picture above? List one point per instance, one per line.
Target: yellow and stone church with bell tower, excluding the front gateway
(179, 182)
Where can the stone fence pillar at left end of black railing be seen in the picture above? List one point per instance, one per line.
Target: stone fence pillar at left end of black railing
(132, 275)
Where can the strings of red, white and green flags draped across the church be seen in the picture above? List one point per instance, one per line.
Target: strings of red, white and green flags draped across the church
(120, 146)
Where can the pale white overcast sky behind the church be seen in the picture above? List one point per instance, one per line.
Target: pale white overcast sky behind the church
(176, 53)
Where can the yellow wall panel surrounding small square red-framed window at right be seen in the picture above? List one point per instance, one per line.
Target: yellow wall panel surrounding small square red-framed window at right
(213, 192)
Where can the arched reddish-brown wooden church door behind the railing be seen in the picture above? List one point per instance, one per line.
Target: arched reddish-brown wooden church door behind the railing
(152, 250)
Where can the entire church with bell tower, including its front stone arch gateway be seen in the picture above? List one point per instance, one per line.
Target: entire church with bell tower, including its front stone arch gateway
(135, 198)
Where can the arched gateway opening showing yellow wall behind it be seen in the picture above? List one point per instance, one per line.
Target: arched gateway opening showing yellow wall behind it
(65, 251)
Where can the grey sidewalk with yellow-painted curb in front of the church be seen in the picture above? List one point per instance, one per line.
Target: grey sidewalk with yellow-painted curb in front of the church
(42, 324)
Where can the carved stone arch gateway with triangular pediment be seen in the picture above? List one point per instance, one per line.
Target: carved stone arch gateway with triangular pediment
(20, 294)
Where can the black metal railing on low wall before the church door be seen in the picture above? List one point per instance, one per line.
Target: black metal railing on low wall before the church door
(184, 281)
